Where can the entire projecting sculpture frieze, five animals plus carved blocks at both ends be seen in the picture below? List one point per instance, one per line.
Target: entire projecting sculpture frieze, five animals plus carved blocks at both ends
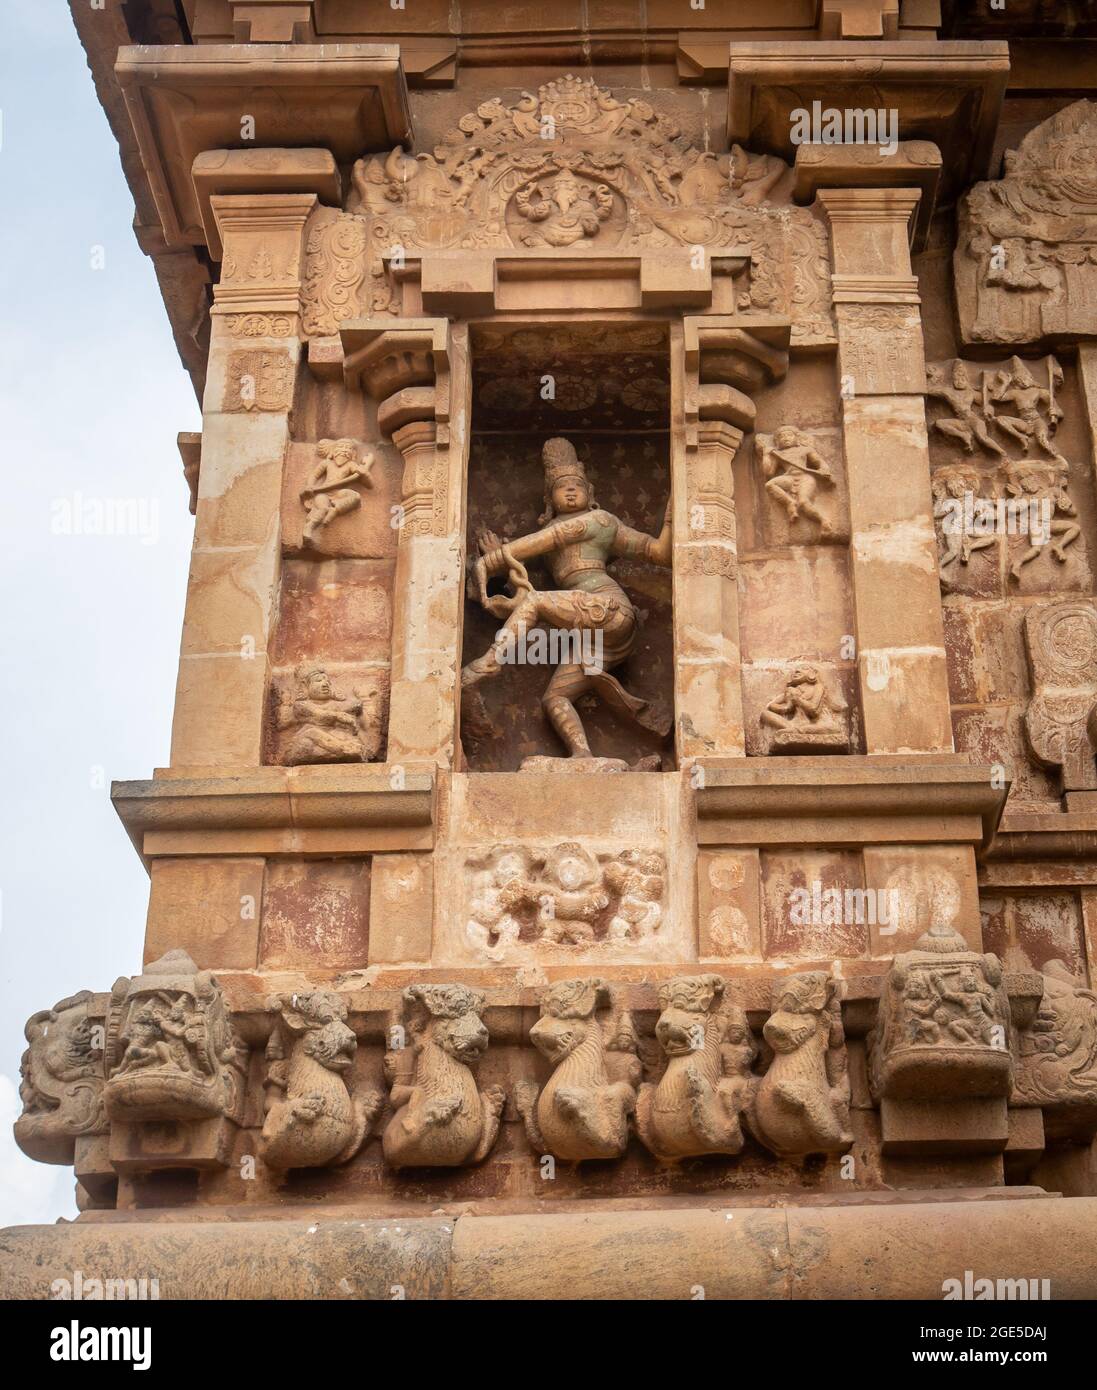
(165, 1050)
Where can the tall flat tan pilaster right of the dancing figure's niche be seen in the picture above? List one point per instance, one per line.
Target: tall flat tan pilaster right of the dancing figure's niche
(893, 550)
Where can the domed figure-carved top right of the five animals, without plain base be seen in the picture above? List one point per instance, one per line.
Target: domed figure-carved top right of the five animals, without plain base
(943, 1025)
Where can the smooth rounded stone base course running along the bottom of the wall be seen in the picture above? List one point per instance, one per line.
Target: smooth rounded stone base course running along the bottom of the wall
(846, 1252)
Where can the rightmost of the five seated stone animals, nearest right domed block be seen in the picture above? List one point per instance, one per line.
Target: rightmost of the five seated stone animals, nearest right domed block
(802, 1104)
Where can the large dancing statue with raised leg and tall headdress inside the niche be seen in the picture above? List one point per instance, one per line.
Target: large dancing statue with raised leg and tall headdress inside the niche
(578, 540)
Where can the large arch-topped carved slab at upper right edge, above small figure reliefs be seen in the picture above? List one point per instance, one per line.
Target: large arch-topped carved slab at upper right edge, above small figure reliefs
(1024, 263)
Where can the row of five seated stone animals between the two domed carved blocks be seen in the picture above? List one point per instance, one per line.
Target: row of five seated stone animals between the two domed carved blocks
(594, 1096)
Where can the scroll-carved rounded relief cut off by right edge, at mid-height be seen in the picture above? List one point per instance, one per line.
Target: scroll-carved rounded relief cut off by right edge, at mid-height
(1062, 644)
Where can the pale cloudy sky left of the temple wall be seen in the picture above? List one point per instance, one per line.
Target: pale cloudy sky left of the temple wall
(92, 395)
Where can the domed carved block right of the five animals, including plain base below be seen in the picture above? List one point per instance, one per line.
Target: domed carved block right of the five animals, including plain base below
(939, 1054)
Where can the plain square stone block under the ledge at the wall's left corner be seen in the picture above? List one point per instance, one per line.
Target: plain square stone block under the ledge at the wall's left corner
(209, 908)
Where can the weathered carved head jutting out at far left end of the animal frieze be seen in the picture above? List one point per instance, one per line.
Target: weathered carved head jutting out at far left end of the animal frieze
(62, 1081)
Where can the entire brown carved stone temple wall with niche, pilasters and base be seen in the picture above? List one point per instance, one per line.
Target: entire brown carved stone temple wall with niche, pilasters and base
(635, 744)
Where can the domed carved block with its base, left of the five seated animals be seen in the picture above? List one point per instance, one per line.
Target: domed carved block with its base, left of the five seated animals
(176, 1070)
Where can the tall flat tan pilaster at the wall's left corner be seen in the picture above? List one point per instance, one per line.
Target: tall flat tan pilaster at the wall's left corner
(247, 411)
